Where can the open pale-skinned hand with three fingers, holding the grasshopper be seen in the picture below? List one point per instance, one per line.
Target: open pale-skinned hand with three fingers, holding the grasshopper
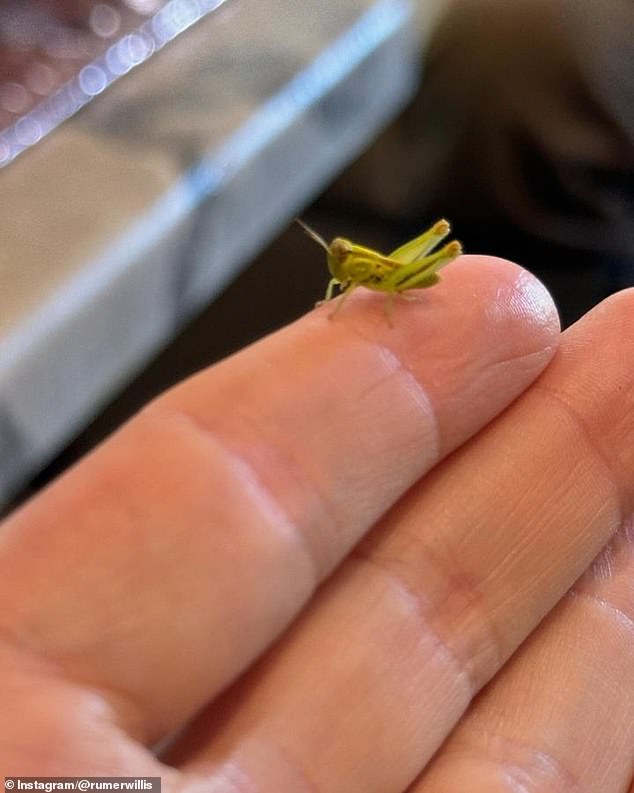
(452, 478)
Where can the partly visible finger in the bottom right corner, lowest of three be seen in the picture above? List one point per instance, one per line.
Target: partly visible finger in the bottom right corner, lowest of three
(560, 716)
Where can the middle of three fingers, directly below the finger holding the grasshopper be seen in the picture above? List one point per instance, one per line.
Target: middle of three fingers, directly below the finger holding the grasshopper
(364, 689)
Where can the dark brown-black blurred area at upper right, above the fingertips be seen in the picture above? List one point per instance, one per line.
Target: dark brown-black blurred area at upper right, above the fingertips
(523, 135)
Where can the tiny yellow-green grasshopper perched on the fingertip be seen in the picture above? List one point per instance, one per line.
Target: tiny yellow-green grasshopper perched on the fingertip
(412, 266)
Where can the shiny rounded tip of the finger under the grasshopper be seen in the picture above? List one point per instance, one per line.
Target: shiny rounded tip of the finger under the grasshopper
(474, 341)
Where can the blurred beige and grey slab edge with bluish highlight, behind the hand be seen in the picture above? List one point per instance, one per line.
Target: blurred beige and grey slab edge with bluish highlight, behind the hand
(145, 205)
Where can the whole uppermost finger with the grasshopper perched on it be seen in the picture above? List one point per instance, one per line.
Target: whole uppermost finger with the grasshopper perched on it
(193, 537)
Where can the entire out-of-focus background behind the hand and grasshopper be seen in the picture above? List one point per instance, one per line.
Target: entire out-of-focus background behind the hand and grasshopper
(163, 148)
